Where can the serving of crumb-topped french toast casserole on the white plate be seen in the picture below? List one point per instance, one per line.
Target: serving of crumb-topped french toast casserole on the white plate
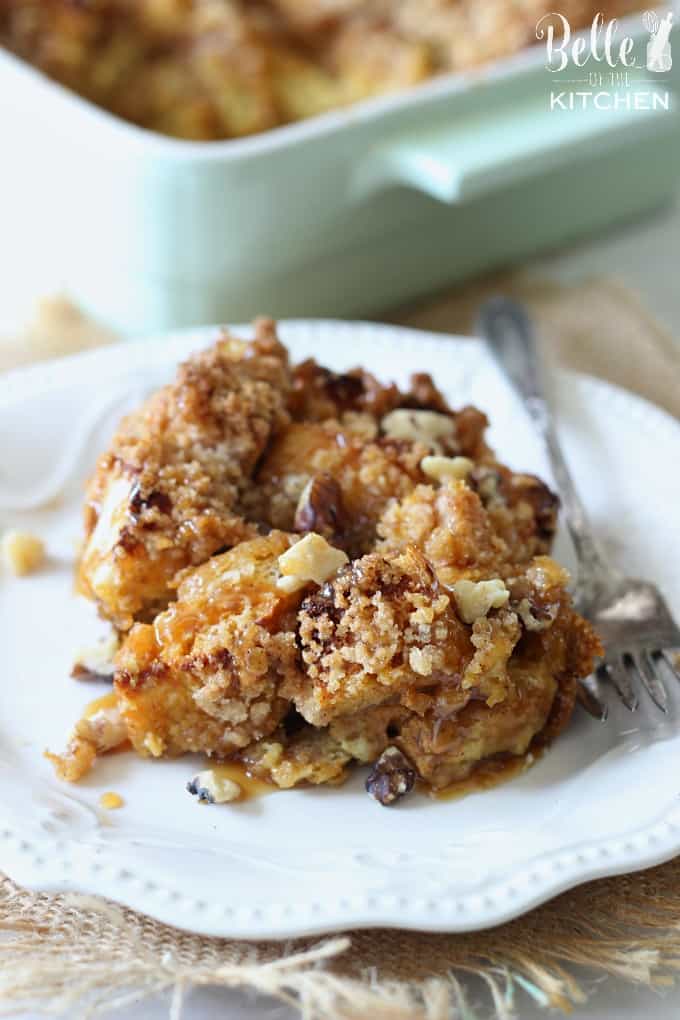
(306, 570)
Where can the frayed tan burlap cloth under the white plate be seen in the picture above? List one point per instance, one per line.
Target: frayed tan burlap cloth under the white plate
(78, 956)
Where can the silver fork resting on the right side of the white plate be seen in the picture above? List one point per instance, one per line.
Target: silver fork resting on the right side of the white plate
(634, 622)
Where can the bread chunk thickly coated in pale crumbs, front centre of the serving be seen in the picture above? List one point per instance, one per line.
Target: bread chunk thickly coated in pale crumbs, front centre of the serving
(381, 628)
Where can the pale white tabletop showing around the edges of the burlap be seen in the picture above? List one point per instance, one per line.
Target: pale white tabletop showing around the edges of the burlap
(645, 256)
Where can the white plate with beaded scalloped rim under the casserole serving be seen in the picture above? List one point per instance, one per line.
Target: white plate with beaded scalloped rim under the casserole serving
(604, 800)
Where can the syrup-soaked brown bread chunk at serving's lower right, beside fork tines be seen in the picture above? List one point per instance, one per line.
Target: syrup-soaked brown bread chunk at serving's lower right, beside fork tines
(452, 731)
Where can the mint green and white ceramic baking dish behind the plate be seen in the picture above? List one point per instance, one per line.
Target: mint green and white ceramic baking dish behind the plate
(338, 216)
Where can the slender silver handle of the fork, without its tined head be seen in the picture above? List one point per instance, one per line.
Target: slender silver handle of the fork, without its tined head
(510, 337)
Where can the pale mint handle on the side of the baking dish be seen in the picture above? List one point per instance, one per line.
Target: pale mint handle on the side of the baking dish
(472, 155)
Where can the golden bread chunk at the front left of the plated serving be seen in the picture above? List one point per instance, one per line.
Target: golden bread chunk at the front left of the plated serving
(206, 676)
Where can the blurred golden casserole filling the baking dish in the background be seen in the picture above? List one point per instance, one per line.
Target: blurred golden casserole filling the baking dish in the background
(207, 70)
